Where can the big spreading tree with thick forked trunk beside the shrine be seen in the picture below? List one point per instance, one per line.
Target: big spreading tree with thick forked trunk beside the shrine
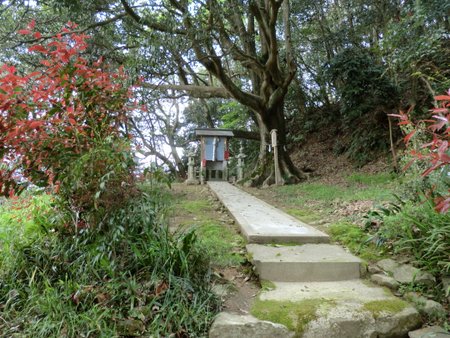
(207, 48)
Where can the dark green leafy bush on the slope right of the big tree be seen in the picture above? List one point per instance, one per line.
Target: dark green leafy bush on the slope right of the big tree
(366, 94)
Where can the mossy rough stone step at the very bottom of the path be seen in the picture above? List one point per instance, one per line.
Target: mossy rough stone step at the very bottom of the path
(342, 309)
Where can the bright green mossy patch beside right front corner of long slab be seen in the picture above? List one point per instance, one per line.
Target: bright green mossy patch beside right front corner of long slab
(356, 240)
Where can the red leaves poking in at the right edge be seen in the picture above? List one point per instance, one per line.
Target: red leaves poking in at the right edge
(435, 152)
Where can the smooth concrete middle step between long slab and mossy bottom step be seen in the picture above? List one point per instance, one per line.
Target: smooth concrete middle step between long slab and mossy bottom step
(304, 263)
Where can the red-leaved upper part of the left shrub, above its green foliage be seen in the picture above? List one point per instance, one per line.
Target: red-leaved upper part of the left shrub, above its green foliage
(50, 117)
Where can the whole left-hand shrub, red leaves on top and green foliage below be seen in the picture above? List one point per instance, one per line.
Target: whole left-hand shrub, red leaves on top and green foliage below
(60, 126)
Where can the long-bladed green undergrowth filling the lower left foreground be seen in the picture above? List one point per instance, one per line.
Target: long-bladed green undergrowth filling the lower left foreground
(133, 279)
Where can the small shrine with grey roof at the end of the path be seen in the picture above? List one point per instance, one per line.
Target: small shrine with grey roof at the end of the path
(214, 154)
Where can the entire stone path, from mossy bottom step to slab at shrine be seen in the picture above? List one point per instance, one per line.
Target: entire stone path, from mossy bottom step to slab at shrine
(315, 289)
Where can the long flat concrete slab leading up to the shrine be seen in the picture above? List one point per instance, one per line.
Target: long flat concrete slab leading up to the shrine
(262, 223)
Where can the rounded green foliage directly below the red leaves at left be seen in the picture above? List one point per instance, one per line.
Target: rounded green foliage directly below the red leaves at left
(96, 183)
